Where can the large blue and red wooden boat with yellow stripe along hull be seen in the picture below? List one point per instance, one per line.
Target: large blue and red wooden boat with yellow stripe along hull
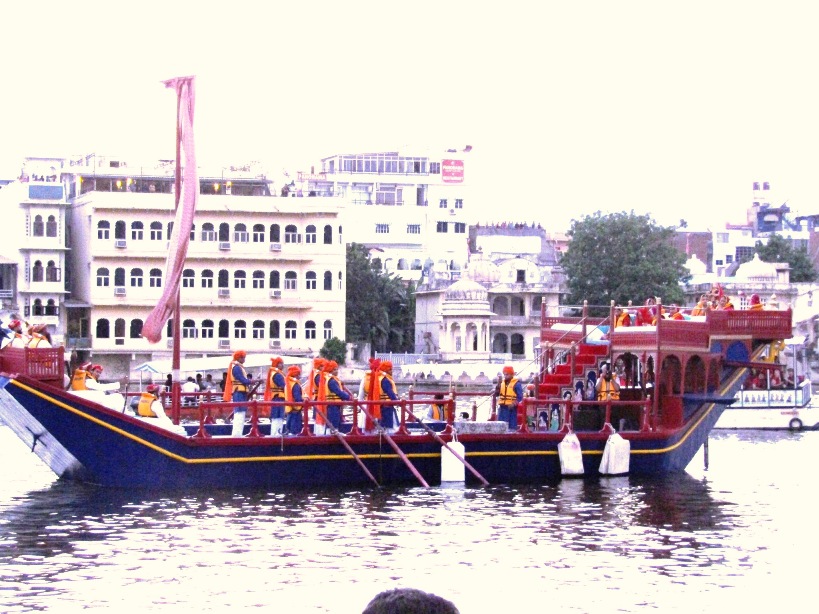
(677, 378)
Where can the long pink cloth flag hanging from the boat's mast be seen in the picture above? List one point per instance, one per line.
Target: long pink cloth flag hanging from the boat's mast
(186, 188)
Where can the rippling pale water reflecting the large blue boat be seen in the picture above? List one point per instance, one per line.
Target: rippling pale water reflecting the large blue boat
(738, 534)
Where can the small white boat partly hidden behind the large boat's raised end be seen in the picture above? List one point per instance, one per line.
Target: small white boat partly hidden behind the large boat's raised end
(768, 401)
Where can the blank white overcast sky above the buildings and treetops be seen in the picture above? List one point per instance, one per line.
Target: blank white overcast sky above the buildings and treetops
(662, 108)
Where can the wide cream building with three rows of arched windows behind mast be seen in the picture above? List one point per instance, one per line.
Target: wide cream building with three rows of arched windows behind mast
(263, 273)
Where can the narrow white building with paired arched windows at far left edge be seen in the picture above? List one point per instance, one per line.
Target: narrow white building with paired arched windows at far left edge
(33, 254)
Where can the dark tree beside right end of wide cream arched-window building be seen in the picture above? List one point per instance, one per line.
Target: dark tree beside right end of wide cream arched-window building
(380, 307)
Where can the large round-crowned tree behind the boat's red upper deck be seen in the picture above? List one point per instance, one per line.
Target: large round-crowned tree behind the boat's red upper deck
(620, 257)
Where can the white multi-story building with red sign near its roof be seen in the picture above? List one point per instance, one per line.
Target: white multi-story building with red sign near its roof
(411, 210)
